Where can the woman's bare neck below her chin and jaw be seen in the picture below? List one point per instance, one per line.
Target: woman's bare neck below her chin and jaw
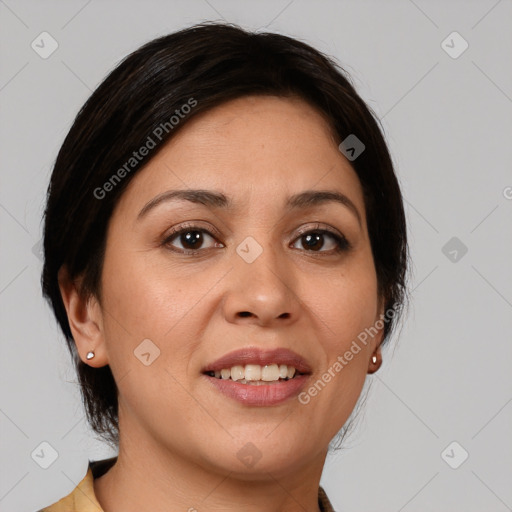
(148, 476)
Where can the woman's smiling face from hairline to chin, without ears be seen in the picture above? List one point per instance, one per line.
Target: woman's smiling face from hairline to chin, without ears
(263, 262)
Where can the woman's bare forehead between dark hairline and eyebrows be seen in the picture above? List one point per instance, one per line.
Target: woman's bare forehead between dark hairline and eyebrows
(252, 146)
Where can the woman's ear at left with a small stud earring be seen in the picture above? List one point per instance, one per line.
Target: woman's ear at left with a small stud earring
(85, 321)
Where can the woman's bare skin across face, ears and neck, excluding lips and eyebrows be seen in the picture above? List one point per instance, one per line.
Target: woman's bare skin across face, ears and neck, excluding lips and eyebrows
(179, 436)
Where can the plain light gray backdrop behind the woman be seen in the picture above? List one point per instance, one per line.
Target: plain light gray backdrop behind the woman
(449, 125)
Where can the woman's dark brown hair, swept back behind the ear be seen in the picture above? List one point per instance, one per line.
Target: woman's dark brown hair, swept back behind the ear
(201, 66)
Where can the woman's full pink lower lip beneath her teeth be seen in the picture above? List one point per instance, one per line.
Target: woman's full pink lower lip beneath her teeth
(260, 395)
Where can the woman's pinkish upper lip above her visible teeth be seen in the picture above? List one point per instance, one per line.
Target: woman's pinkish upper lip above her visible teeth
(254, 355)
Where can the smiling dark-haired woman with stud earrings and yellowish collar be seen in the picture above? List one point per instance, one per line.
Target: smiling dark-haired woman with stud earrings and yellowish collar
(225, 252)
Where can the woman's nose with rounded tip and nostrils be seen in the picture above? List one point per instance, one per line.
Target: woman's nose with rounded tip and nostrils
(261, 292)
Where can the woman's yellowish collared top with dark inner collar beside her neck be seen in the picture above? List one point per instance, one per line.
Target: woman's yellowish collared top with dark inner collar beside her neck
(83, 499)
